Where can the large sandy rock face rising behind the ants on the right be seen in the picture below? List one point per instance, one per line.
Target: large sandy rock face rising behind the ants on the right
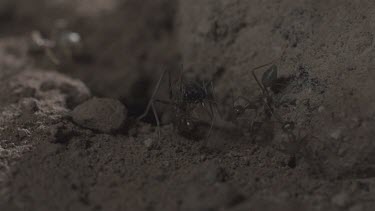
(329, 55)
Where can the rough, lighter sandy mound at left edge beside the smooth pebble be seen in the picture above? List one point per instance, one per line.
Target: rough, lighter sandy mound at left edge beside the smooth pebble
(30, 112)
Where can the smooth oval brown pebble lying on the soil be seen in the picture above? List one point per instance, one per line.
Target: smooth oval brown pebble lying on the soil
(102, 114)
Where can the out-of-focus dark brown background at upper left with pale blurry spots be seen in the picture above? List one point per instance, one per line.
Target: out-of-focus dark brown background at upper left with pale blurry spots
(117, 47)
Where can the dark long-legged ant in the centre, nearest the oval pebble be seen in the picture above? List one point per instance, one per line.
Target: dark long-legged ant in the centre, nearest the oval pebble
(189, 95)
